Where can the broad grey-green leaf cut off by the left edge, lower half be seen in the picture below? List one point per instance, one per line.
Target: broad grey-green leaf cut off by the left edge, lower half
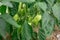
(3, 27)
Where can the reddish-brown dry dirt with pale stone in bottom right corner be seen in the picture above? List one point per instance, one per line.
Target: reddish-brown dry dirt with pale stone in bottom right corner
(55, 35)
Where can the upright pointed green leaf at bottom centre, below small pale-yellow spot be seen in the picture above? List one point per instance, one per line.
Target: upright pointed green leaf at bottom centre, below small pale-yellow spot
(26, 31)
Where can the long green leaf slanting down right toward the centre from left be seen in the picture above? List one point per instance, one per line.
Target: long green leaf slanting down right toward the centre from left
(10, 20)
